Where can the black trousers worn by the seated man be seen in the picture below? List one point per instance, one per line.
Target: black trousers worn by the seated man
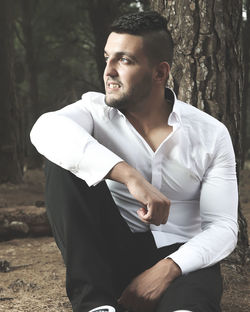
(102, 255)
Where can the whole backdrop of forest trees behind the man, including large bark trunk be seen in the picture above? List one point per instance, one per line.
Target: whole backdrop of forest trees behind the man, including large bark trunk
(52, 51)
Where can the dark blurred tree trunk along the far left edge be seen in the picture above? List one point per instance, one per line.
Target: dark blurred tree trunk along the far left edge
(10, 151)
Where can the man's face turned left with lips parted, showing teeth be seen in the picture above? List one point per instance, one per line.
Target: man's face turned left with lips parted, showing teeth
(128, 75)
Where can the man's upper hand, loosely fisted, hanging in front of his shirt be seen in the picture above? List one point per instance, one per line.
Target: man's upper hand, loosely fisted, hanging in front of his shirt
(156, 206)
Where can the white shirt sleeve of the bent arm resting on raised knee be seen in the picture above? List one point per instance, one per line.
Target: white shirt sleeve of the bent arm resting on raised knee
(65, 138)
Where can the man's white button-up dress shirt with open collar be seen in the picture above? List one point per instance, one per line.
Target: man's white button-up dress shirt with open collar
(194, 167)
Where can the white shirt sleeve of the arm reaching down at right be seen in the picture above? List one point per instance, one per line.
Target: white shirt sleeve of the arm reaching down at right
(218, 211)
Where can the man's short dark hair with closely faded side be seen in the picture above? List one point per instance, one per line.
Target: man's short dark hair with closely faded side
(152, 26)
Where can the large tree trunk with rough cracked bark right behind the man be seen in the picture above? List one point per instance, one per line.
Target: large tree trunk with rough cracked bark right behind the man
(207, 66)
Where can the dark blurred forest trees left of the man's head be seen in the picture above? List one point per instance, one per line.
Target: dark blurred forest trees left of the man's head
(56, 55)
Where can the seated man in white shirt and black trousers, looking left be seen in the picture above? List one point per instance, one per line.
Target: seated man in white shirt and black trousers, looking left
(151, 239)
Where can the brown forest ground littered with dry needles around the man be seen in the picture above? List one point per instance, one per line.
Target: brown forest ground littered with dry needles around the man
(36, 280)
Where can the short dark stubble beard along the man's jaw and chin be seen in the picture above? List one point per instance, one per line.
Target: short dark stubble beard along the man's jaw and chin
(131, 98)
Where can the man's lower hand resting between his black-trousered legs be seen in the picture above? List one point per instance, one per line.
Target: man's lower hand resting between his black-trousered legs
(144, 292)
